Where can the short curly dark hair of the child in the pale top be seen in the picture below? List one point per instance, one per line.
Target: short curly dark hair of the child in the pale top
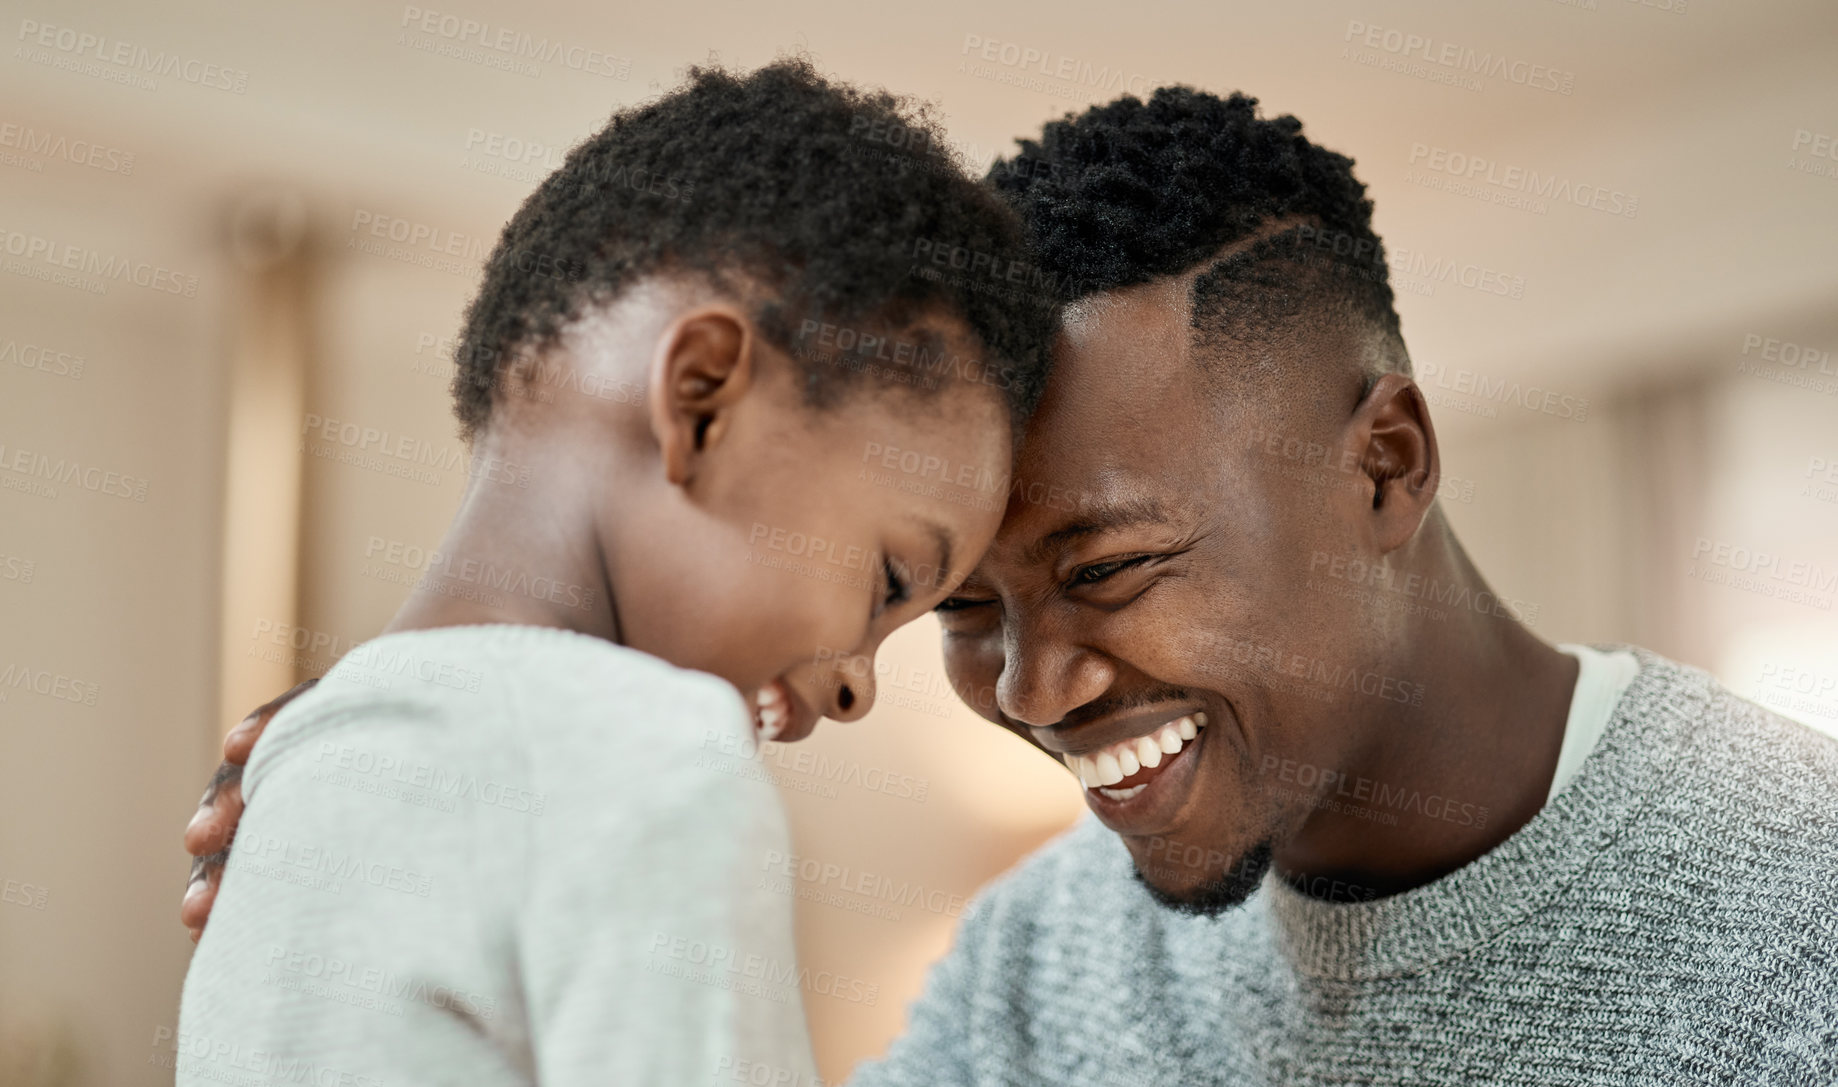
(760, 181)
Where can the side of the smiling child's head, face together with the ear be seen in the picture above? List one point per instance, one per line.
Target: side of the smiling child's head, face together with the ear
(791, 542)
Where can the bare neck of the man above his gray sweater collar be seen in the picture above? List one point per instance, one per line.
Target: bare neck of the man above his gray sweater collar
(1458, 775)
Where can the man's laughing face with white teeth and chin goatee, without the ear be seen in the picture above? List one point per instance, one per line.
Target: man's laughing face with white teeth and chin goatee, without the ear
(1163, 586)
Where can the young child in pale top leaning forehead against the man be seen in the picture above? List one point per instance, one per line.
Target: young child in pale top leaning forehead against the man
(492, 847)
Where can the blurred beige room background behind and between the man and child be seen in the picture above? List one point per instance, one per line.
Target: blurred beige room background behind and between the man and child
(1701, 244)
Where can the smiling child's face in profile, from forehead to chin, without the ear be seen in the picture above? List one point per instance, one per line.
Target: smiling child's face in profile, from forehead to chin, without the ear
(852, 523)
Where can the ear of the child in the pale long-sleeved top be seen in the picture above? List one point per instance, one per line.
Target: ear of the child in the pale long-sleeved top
(703, 367)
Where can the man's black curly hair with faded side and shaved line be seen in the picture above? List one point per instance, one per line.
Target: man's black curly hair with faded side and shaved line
(1139, 190)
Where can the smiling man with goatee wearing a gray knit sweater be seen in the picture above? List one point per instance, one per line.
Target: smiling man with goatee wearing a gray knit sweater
(1354, 821)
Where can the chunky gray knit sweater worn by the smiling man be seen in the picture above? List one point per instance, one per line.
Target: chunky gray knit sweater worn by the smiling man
(1672, 917)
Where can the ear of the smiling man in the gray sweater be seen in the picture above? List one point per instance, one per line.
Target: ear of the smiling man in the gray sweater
(1398, 453)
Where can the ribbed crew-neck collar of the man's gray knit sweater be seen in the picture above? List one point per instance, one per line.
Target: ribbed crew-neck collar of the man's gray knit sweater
(1521, 876)
